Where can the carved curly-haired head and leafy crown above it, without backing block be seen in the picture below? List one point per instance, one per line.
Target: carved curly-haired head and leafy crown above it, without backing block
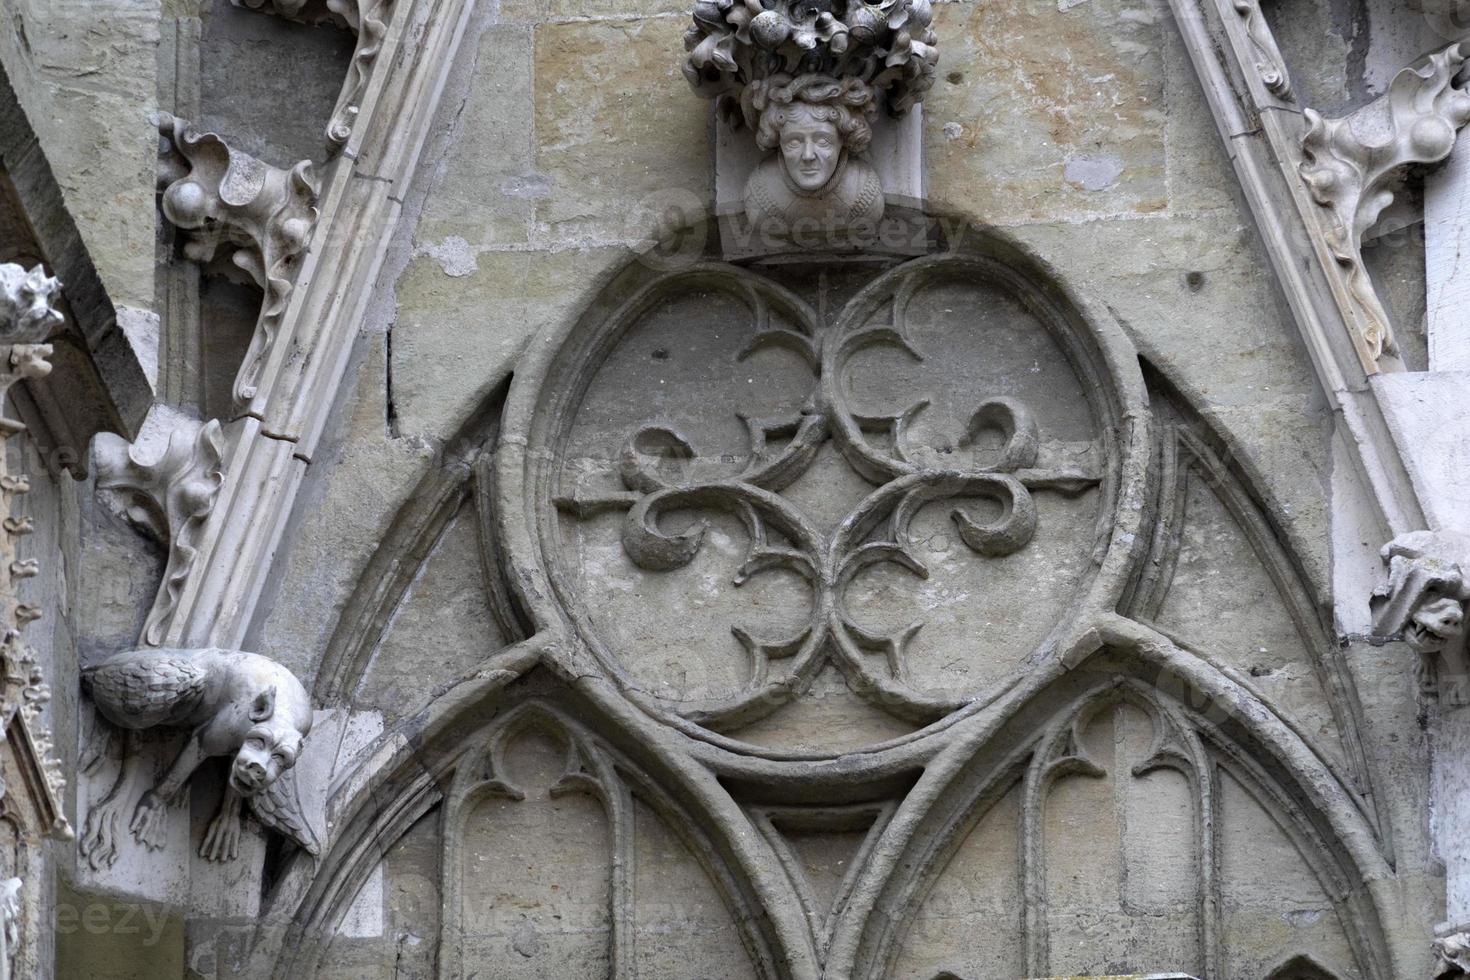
(808, 77)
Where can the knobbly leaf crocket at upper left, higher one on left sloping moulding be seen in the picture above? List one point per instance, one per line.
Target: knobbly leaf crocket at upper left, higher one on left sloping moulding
(223, 198)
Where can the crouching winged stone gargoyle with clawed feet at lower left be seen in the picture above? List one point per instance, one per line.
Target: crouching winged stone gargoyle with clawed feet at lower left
(243, 706)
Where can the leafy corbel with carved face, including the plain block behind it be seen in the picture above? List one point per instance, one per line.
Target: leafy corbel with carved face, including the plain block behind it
(818, 136)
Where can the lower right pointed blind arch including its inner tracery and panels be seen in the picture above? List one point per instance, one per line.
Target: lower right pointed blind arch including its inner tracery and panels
(1205, 729)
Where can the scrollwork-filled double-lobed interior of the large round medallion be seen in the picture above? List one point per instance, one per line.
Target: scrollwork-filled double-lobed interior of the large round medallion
(853, 440)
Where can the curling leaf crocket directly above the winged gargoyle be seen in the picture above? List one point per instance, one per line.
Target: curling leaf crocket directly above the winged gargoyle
(168, 499)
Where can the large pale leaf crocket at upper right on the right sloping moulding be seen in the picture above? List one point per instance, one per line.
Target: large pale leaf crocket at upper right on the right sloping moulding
(1353, 167)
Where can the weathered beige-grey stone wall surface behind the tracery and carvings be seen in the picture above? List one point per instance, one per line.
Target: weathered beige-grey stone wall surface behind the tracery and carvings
(564, 143)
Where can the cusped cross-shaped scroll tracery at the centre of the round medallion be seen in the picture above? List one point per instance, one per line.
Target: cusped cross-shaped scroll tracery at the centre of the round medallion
(999, 461)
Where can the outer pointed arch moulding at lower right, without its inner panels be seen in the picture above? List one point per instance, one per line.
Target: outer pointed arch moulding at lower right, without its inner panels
(1122, 659)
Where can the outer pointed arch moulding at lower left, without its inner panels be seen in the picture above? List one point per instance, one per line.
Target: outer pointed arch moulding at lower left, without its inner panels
(437, 759)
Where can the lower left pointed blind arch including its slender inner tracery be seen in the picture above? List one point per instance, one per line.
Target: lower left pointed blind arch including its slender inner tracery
(605, 757)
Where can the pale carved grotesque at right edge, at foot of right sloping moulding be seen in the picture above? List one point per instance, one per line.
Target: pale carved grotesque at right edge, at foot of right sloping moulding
(1424, 603)
